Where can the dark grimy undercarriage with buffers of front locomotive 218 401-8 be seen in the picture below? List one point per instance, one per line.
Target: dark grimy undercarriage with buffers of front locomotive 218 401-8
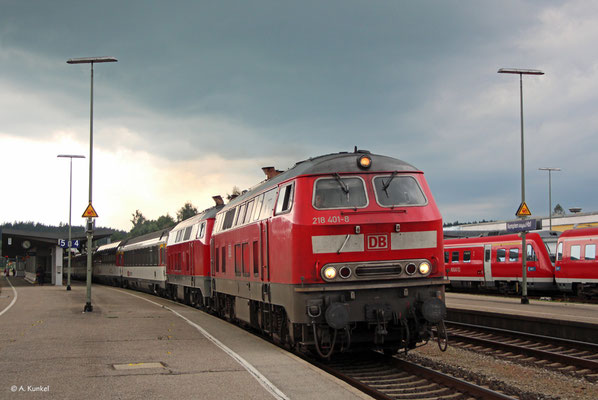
(325, 321)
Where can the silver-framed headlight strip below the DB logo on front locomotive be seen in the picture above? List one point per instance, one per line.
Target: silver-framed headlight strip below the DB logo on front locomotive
(343, 272)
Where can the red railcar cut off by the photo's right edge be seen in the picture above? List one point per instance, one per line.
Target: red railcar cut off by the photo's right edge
(576, 267)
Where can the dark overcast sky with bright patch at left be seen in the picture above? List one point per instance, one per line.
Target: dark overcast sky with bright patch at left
(205, 93)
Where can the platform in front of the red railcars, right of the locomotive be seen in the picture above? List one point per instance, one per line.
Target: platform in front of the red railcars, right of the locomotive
(566, 320)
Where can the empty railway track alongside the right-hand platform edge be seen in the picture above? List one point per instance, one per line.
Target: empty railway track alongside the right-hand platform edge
(575, 358)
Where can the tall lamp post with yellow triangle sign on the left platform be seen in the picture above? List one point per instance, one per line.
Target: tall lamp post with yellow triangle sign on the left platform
(89, 230)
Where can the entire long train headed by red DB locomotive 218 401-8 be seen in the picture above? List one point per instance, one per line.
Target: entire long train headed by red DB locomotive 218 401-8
(340, 251)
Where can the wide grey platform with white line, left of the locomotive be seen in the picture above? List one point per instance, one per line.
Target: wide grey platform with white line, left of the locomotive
(137, 346)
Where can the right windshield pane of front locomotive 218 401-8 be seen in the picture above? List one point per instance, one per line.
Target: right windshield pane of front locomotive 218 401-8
(395, 190)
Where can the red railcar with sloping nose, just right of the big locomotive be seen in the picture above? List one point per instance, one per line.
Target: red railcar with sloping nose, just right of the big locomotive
(495, 262)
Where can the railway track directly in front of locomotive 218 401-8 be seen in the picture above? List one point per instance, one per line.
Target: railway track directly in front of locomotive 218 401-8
(393, 378)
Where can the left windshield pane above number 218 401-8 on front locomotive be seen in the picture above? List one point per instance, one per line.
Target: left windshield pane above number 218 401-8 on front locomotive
(339, 192)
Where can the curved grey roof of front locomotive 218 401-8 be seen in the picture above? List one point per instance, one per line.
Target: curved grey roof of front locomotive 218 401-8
(341, 163)
